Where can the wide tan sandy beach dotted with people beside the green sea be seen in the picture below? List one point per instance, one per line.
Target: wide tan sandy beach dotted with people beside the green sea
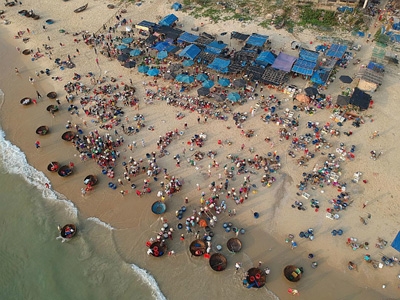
(372, 198)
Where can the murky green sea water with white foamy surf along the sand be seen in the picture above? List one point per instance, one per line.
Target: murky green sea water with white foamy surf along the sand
(37, 265)
